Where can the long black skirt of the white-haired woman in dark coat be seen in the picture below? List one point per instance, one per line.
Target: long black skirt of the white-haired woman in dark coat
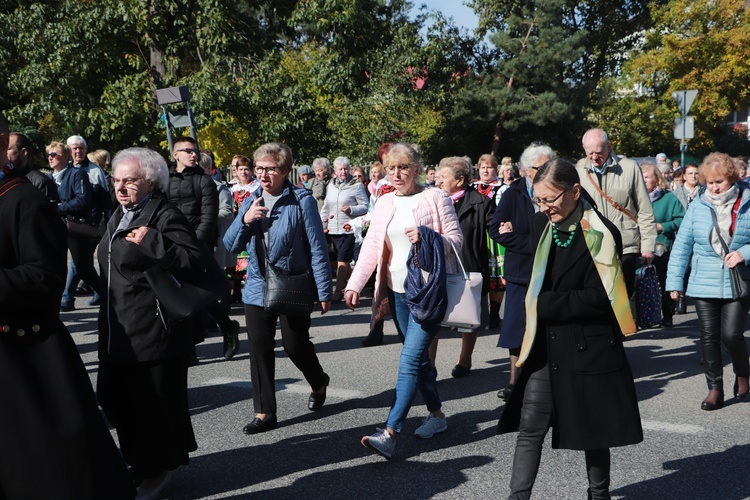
(147, 404)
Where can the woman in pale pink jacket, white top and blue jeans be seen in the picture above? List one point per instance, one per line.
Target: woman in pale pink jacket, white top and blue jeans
(393, 230)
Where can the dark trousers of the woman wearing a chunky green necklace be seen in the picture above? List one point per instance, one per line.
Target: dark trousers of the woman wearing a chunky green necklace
(536, 417)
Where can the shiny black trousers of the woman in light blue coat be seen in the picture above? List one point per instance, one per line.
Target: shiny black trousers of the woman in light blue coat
(723, 321)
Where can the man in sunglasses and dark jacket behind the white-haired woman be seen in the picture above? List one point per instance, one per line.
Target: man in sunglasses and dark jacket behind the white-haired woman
(195, 195)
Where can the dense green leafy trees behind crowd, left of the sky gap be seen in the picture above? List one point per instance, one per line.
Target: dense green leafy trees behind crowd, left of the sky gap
(329, 77)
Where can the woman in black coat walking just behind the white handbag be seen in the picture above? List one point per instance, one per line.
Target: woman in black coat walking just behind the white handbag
(474, 212)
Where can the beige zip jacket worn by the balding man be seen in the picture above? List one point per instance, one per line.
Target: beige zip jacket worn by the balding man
(623, 182)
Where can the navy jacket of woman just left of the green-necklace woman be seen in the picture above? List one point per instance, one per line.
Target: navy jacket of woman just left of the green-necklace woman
(515, 207)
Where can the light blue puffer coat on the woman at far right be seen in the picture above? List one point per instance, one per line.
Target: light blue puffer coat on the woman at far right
(709, 276)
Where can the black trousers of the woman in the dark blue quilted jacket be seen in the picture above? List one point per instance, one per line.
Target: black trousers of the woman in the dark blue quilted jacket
(295, 335)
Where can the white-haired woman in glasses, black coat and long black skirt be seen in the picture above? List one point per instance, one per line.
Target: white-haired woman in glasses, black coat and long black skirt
(142, 384)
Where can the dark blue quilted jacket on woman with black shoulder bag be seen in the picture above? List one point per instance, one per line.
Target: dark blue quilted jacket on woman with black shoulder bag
(288, 244)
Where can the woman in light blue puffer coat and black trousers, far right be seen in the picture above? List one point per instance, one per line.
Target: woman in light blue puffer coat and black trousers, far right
(711, 253)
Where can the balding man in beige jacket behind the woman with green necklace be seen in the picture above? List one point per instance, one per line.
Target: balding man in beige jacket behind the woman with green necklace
(617, 187)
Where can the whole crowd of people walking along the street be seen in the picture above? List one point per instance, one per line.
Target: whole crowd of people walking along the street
(559, 242)
